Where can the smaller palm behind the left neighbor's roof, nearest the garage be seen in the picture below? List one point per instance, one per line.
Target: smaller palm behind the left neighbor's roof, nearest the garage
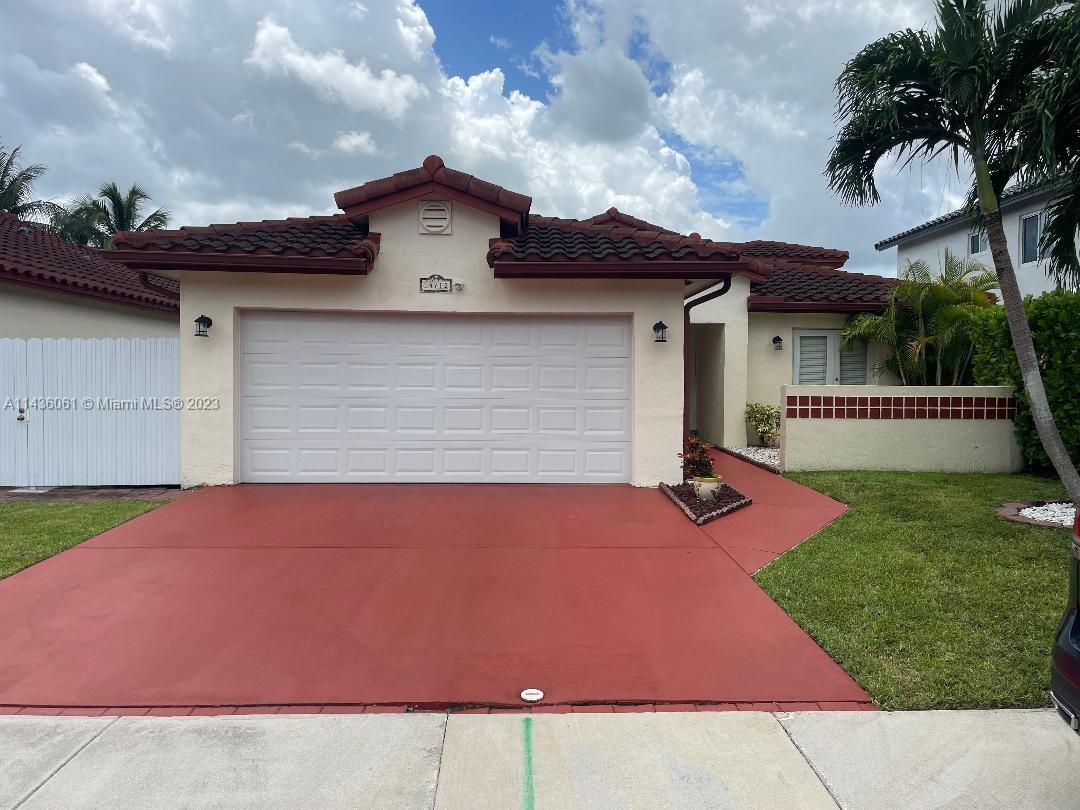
(96, 221)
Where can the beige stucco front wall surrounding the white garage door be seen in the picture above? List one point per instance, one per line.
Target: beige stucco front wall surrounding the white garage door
(209, 367)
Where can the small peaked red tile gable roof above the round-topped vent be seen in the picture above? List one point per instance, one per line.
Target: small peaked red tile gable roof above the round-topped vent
(434, 177)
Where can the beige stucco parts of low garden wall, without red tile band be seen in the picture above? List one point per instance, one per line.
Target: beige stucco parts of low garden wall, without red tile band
(922, 445)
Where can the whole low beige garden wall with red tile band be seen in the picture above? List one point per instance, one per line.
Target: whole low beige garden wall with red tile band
(930, 429)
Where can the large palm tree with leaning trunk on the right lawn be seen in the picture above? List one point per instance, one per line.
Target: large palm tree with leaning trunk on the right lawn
(961, 91)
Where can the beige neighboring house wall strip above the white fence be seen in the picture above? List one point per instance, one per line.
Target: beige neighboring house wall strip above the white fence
(36, 314)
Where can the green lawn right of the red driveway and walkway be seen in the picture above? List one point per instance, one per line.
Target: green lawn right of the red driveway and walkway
(924, 595)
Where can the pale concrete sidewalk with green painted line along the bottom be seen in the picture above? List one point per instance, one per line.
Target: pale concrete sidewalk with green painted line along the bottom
(722, 760)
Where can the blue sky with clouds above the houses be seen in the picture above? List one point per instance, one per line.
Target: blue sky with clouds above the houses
(709, 116)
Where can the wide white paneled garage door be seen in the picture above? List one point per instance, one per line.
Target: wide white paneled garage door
(440, 398)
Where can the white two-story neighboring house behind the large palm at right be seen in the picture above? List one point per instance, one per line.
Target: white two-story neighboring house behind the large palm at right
(1023, 217)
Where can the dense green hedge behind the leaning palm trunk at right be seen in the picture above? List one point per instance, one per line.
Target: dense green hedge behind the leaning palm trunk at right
(1056, 327)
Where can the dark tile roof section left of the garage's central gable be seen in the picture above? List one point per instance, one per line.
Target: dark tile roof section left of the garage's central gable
(320, 236)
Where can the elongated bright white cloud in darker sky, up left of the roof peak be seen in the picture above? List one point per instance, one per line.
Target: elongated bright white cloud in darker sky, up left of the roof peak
(332, 76)
